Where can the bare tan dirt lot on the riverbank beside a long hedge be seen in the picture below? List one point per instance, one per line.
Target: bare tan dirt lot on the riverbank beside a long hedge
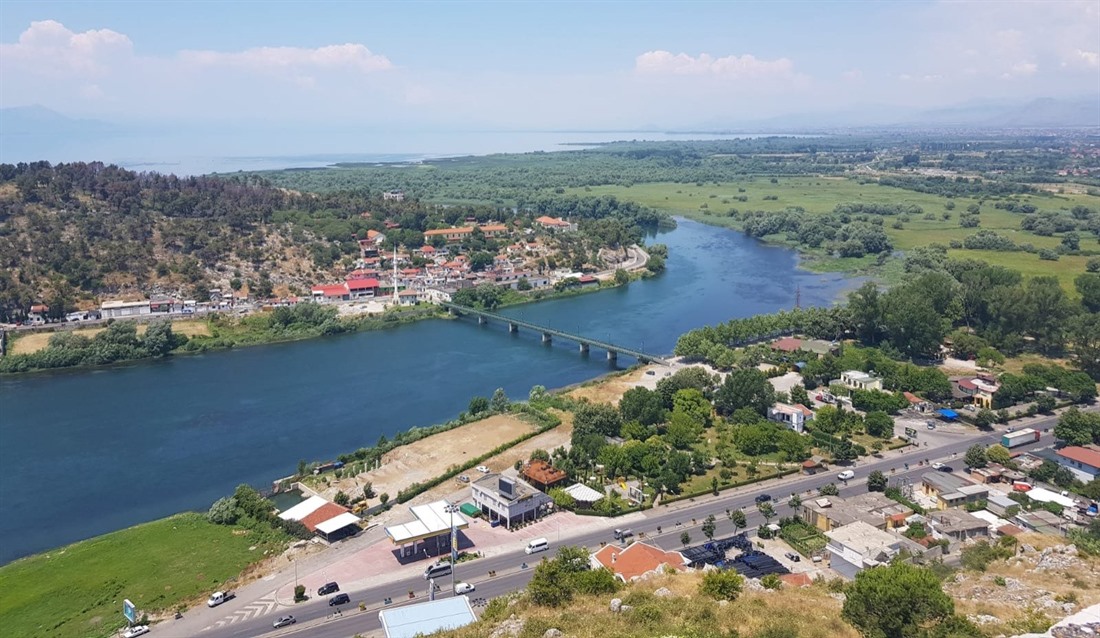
(430, 458)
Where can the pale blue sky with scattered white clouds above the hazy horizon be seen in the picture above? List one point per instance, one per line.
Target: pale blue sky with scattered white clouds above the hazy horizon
(534, 65)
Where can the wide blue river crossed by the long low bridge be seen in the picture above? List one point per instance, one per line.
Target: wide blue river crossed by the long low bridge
(90, 453)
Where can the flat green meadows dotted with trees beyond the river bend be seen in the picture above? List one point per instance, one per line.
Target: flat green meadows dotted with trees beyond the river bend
(710, 204)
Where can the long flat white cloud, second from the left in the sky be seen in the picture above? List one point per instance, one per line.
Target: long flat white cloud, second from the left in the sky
(282, 59)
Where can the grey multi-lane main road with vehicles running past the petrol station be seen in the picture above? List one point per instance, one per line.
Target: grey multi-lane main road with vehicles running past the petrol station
(316, 619)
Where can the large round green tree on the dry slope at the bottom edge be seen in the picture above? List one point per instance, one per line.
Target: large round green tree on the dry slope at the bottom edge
(896, 601)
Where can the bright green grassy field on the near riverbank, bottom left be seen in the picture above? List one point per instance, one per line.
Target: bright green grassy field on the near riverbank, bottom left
(78, 591)
